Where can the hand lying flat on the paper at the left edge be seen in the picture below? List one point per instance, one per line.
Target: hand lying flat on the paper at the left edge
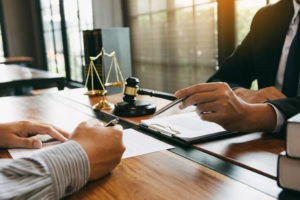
(15, 134)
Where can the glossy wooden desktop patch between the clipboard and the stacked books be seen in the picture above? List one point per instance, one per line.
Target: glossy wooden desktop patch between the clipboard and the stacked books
(255, 151)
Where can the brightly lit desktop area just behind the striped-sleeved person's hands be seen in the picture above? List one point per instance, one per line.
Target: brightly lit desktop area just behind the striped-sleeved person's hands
(41, 109)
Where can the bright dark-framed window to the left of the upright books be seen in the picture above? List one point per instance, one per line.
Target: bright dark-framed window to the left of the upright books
(63, 22)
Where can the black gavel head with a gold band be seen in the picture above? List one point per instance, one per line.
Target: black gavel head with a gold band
(131, 89)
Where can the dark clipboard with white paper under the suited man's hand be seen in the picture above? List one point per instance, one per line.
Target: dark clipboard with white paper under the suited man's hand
(184, 129)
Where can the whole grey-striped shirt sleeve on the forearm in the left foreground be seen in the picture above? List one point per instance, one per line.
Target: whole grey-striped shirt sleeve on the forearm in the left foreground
(51, 174)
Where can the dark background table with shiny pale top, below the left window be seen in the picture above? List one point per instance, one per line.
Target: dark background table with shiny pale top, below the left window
(18, 76)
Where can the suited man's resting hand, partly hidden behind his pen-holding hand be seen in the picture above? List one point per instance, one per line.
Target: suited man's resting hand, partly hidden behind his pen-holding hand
(259, 96)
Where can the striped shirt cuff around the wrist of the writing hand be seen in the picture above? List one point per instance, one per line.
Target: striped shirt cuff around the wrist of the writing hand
(69, 167)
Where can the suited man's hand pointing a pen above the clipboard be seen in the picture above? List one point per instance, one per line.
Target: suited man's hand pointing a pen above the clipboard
(216, 102)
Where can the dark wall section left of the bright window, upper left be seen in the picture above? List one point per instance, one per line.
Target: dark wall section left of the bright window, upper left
(22, 29)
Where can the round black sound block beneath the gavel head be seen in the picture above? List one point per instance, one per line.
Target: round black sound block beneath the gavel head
(138, 108)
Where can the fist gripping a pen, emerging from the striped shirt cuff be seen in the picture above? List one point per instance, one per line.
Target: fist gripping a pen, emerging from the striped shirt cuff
(103, 146)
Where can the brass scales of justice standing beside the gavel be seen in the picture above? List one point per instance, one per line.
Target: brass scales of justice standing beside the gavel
(103, 104)
